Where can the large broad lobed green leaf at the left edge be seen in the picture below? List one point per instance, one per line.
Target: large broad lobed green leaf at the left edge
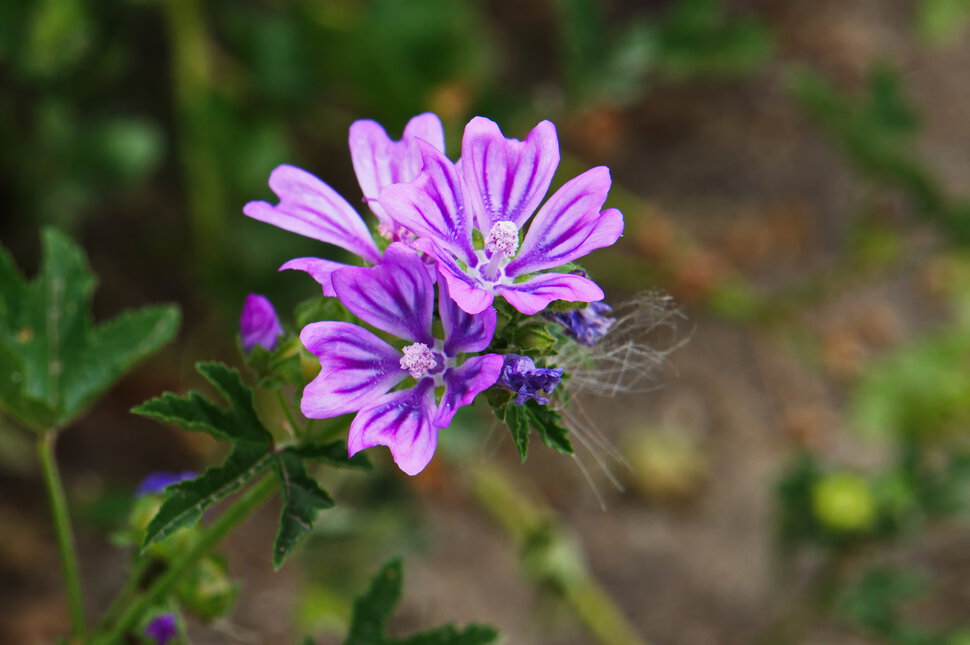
(56, 360)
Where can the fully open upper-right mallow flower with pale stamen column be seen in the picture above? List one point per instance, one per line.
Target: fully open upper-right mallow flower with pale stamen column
(495, 189)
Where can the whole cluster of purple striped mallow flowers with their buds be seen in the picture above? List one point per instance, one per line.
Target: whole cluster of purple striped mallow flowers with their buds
(458, 234)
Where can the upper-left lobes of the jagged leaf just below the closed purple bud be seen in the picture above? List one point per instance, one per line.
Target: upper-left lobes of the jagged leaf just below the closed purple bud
(194, 412)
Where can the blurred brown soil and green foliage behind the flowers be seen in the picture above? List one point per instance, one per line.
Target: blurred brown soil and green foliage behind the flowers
(794, 174)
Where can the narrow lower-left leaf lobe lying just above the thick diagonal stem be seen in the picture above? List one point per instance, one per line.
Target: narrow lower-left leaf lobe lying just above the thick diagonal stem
(185, 501)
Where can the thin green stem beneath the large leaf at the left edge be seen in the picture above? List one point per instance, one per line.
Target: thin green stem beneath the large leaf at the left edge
(62, 528)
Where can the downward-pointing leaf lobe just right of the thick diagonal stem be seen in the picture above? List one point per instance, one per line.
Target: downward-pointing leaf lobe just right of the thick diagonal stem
(303, 499)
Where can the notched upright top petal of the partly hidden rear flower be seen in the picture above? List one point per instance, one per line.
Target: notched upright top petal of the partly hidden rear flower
(380, 161)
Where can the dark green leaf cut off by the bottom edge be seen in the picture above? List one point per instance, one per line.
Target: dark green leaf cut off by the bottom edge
(374, 609)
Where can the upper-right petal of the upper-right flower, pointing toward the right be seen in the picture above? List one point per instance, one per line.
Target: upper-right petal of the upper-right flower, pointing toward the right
(569, 225)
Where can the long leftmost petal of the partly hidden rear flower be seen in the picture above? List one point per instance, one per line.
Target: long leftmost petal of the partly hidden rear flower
(311, 208)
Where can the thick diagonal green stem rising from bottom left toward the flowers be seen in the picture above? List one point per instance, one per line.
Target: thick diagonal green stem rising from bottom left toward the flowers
(226, 522)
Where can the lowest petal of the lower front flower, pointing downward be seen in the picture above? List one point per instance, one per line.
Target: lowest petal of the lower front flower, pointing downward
(401, 421)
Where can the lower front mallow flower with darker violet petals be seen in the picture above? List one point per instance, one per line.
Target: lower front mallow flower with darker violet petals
(359, 370)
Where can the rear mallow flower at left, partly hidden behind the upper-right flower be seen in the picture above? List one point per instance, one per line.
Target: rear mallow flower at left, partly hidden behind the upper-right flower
(311, 208)
